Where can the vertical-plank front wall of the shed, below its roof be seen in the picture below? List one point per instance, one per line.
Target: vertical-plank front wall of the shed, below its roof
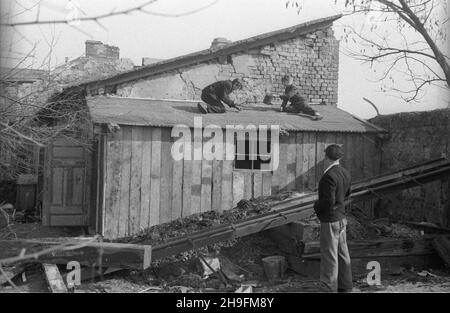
(144, 186)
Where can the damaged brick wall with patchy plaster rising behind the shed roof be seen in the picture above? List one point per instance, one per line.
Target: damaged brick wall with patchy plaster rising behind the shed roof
(312, 60)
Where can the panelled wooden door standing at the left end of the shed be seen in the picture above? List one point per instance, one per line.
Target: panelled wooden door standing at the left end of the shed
(66, 191)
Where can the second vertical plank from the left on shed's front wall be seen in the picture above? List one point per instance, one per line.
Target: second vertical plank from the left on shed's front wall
(125, 182)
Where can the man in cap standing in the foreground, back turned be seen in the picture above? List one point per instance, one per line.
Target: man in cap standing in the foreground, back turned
(334, 187)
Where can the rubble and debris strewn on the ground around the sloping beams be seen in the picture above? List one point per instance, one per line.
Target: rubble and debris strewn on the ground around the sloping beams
(231, 266)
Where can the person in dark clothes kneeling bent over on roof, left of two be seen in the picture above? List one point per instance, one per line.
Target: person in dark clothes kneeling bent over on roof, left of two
(216, 93)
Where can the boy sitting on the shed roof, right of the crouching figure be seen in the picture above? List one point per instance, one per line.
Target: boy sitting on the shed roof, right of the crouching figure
(297, 102)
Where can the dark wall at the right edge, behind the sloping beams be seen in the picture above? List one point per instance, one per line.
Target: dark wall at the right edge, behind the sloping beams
(417, 137)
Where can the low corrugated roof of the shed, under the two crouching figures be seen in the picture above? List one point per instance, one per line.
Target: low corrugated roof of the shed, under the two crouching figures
(168, 113)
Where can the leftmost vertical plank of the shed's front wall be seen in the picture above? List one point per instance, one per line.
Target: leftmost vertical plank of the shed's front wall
(113, 160)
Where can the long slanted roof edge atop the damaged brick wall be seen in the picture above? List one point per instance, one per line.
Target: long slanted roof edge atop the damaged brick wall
(209, 54)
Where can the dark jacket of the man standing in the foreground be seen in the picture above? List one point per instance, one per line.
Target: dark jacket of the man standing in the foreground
(334, 187)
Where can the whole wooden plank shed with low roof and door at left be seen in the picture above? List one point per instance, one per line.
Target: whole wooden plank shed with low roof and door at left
(130, 181)
